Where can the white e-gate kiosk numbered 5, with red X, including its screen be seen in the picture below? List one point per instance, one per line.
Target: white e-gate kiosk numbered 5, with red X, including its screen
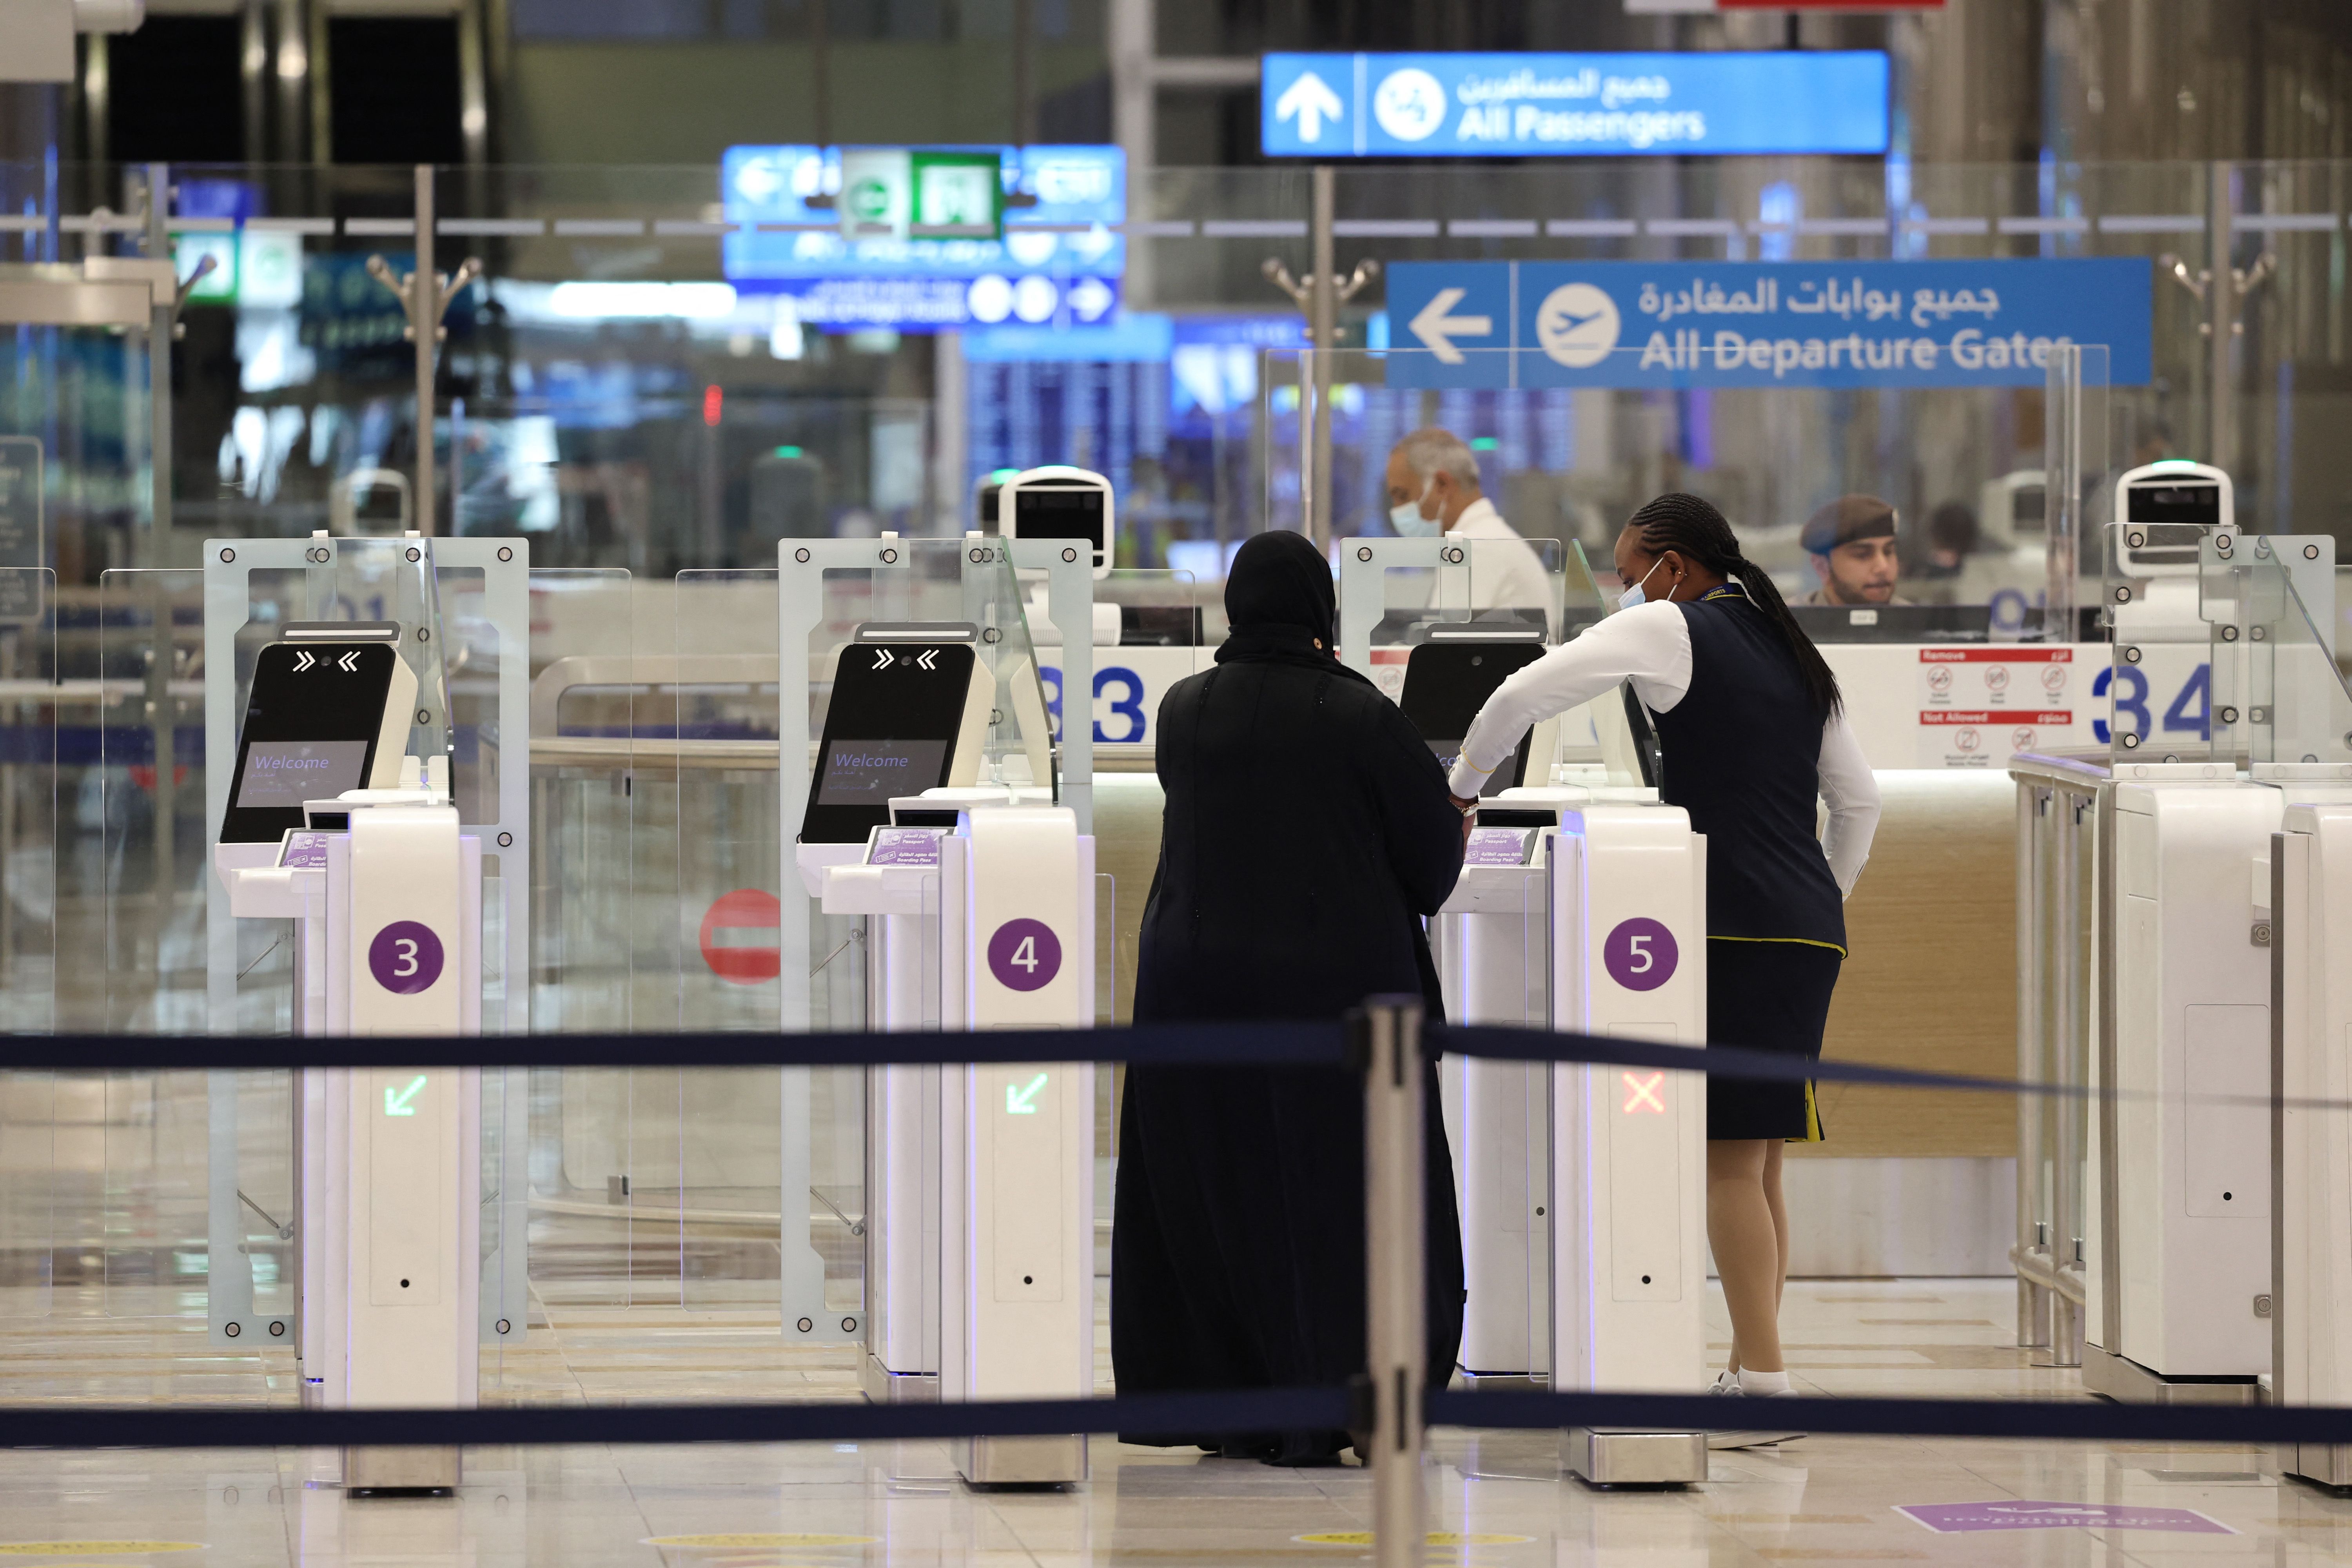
(1582, 1186)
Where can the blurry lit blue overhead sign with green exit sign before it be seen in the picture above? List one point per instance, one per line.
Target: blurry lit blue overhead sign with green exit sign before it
(926, 264)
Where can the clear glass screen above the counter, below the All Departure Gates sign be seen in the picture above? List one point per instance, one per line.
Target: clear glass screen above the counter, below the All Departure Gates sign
(1568, 448)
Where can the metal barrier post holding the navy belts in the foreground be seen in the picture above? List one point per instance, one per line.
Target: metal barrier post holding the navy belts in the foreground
(1396, 1329)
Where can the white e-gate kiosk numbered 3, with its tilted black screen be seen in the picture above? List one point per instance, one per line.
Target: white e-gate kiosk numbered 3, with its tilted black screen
(356, 843)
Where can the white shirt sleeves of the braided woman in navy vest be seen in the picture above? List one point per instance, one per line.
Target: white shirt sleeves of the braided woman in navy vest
(1650, 645)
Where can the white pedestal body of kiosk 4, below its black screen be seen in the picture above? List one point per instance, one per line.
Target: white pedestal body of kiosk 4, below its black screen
(982, 1207)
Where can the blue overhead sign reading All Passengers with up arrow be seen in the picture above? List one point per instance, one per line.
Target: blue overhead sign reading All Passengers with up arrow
(1572, 105)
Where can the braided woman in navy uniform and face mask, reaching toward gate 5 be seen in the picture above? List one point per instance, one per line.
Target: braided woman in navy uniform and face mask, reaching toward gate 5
(1751, 728)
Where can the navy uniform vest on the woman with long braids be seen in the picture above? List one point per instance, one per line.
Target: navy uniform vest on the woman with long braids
(1744, 758)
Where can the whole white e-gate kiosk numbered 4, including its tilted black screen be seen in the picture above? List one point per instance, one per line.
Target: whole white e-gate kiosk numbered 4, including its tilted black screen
(977, 902)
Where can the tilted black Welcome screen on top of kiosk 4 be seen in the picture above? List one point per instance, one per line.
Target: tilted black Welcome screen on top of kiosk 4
(890, 730)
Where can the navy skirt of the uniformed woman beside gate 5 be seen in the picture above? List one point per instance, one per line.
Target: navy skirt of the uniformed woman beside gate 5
(1768, 998)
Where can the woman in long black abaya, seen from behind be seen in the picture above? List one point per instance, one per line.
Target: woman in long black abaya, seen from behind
(1307, 836)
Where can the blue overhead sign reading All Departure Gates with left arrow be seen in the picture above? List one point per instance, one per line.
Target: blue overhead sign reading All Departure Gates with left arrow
(1763, 323)
